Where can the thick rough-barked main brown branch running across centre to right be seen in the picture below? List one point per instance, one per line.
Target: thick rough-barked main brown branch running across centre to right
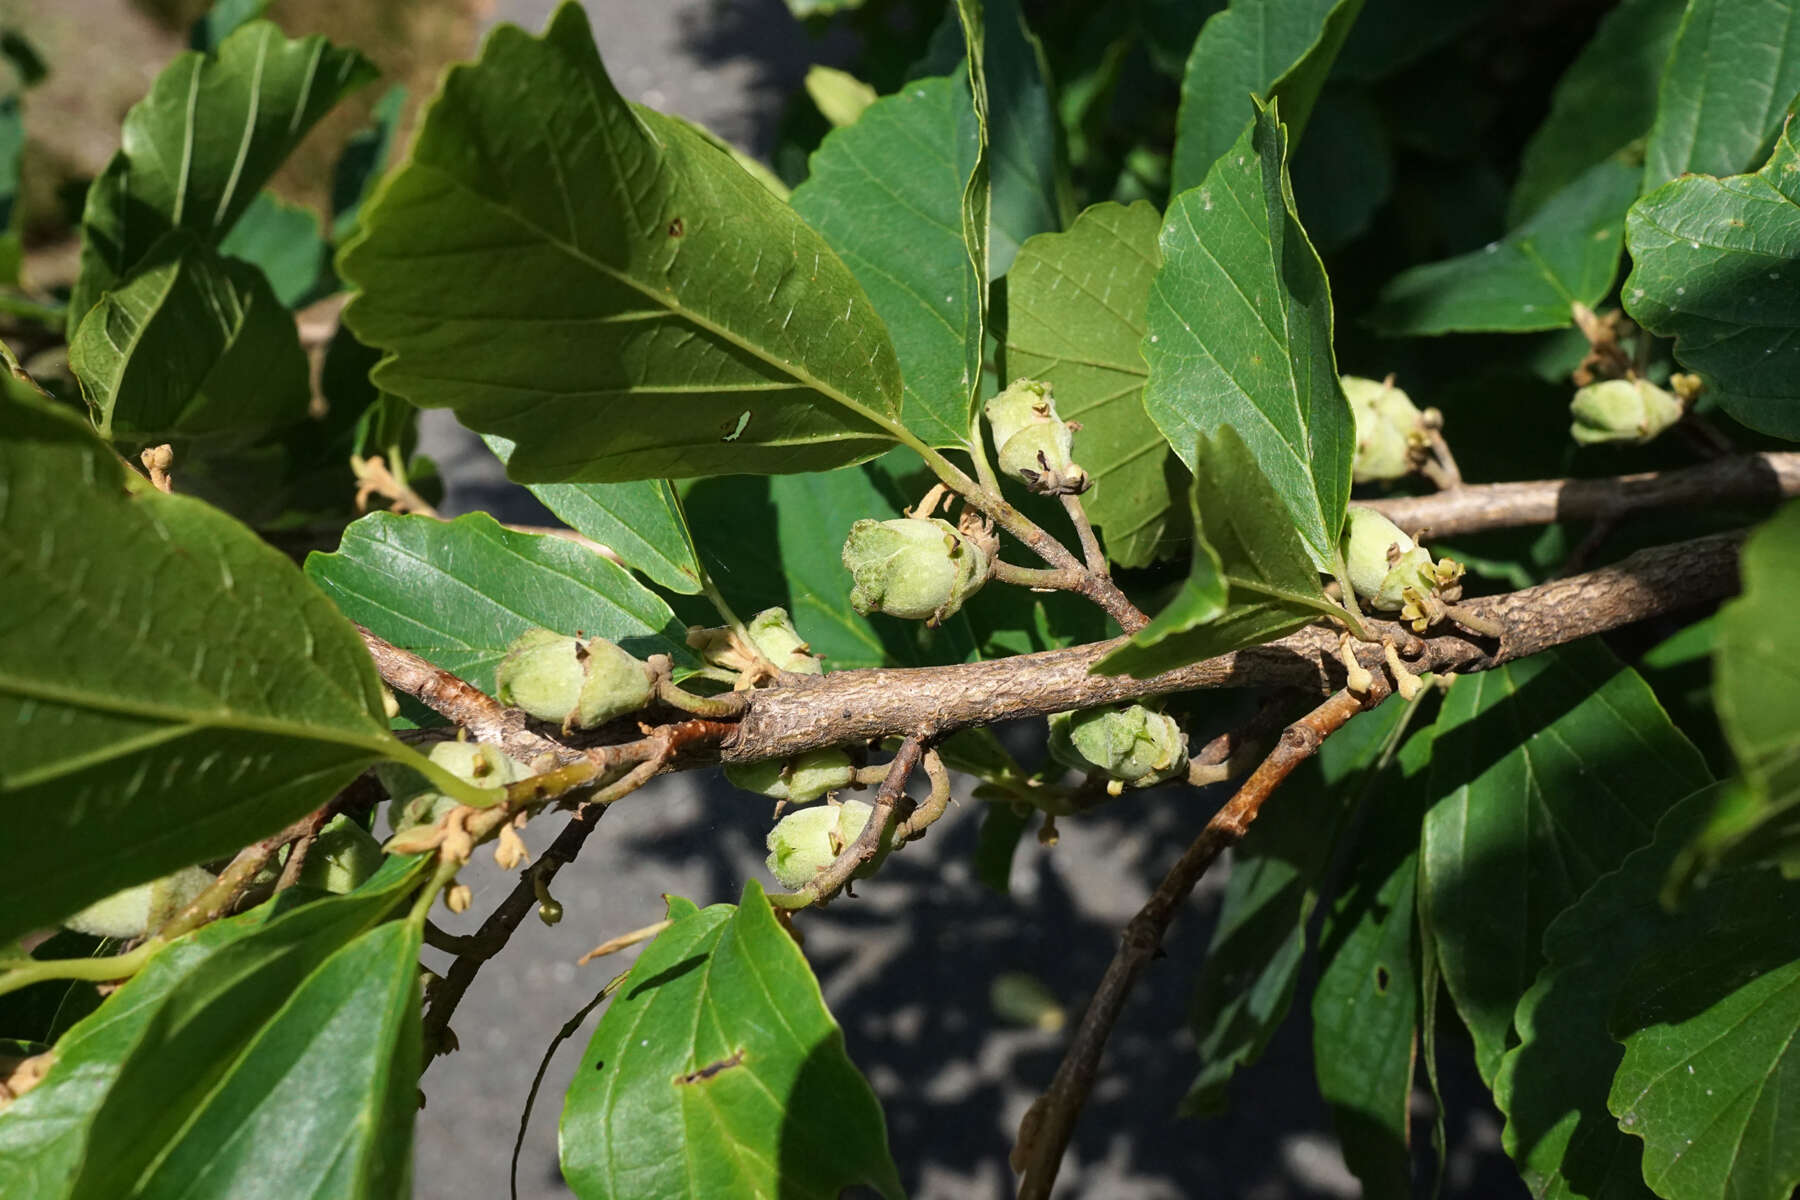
(809, 713)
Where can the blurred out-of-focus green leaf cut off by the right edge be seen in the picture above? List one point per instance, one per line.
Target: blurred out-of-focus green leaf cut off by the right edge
(1758, 697)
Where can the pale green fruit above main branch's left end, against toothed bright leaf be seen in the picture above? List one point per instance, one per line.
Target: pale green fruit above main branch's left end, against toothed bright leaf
(568, 681)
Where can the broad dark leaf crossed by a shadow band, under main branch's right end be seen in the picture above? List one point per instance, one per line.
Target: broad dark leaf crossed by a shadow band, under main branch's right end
(1545, 775)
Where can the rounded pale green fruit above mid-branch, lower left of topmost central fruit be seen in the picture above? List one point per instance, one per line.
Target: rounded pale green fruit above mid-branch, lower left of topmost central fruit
(921, 569)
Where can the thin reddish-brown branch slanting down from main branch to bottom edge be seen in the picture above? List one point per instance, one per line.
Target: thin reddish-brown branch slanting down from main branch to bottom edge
(1050, 1122)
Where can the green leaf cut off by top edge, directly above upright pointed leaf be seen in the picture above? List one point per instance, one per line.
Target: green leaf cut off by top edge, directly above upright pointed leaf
(1255, 48)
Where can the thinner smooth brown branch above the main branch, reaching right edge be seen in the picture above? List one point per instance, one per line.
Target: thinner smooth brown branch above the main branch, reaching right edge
(1471, 508)
